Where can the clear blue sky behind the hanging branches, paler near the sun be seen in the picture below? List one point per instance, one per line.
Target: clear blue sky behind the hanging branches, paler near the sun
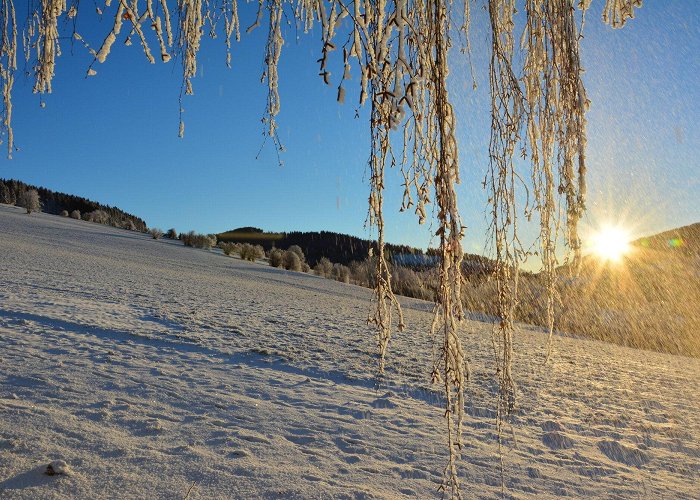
(113, 137)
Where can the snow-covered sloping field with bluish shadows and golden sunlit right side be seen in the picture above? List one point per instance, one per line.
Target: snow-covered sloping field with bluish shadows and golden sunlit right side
(154, 370)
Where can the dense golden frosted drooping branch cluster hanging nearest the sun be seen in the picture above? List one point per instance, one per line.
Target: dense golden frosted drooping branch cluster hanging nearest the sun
(555, 130)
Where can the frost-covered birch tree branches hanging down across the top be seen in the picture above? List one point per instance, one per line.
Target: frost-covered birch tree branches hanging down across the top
(399, 49)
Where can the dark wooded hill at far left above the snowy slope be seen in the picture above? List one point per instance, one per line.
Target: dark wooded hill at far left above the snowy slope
(54, 202)
